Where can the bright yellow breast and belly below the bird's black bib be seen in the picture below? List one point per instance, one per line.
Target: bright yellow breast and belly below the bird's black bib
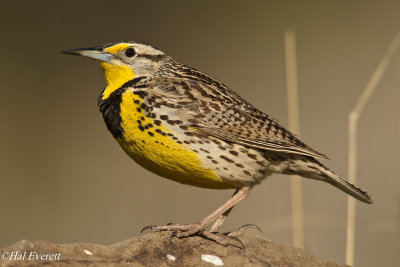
(152, 147)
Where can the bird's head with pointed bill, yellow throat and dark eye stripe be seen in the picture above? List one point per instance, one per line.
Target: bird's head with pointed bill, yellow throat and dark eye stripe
(123, 61)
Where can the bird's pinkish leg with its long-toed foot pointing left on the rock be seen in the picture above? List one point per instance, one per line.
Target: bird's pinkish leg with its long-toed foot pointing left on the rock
(185, 230)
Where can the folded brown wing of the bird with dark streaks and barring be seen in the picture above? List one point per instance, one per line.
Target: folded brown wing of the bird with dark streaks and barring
(215, 110)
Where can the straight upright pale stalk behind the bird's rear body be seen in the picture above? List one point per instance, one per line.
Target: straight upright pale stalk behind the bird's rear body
(293, 113)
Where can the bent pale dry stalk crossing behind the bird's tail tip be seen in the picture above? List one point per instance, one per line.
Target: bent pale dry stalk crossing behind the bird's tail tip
(352, 152)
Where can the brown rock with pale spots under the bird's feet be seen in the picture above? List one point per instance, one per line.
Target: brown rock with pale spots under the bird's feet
(159, 249)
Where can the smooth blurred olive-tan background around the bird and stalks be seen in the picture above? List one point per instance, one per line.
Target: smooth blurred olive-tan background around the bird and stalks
(64, 179)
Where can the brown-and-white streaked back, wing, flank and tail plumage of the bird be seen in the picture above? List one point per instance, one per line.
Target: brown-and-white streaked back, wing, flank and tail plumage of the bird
(240, 143)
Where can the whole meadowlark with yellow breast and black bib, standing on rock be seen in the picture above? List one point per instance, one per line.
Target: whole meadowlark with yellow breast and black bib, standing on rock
(188, 127)
